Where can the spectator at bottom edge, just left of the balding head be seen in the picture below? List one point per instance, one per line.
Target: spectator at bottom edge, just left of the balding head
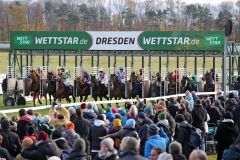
(175, 149)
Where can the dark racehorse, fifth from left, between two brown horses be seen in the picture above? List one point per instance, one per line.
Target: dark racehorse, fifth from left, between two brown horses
(98, 89)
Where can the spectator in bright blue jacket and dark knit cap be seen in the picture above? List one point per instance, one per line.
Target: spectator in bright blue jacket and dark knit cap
(154, 141)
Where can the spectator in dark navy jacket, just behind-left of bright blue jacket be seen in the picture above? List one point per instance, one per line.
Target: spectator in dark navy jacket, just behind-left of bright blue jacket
(142, 125)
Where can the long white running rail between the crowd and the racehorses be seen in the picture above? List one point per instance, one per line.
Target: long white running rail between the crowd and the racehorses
(109, 102)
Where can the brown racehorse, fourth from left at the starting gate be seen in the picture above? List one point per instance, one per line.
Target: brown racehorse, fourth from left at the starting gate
(82, 89)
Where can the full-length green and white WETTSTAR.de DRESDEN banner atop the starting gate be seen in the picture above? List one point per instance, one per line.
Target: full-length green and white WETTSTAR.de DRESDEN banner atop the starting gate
(122, 40)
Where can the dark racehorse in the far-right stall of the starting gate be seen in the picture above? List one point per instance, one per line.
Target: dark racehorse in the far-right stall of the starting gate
(209, 86)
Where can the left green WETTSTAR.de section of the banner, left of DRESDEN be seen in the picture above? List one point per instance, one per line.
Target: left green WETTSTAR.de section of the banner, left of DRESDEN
(51, 40)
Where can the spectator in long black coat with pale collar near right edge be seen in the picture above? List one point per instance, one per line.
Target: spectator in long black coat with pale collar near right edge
(226, 134)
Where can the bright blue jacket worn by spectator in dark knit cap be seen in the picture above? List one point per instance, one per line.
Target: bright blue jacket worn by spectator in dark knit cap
(154, 142)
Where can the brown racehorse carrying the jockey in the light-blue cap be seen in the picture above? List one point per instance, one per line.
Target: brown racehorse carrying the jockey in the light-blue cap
(117, 88)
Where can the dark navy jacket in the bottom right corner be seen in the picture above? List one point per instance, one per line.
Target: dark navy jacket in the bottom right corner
(233, 153)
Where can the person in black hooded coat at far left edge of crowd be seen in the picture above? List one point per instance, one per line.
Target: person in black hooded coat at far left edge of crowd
(10, 140)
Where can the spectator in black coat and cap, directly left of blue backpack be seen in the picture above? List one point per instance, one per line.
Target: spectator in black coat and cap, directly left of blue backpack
(183, 134)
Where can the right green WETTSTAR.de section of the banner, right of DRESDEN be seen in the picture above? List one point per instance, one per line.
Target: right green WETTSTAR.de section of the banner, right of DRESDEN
(213, 41)
